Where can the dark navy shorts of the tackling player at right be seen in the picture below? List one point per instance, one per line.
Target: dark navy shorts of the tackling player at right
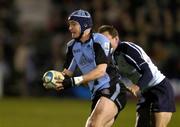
(160, 98)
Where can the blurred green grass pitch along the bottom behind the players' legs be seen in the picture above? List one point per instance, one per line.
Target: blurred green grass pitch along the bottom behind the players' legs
(49, 112)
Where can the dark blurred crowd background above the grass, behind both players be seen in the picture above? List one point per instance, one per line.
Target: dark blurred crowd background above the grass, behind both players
(34, 33)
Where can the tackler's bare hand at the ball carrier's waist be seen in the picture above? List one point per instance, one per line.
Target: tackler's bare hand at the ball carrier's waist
(135, 90)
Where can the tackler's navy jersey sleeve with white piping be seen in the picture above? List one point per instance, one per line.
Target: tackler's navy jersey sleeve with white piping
(134, 57)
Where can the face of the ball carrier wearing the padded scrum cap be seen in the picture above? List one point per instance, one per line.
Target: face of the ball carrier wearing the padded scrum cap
(74, 28)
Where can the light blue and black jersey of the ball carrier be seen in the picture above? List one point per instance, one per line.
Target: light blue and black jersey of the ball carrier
(86, 56)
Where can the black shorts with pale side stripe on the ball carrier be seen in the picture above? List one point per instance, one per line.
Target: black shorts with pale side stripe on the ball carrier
(116, 92)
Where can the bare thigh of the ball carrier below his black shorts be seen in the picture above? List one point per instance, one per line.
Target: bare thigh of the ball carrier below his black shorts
(105, 110)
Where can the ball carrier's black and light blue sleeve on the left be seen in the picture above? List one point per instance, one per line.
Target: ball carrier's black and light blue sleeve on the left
(70, 63)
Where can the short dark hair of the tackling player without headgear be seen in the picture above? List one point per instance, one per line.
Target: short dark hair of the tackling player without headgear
(108, 28)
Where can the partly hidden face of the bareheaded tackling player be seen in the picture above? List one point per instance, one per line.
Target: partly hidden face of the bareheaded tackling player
(114, 40)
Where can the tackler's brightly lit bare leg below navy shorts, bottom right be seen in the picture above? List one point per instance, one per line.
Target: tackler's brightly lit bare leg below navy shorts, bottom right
(162, 118)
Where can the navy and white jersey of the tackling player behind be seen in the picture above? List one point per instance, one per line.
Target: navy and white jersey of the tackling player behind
(149, 75)
